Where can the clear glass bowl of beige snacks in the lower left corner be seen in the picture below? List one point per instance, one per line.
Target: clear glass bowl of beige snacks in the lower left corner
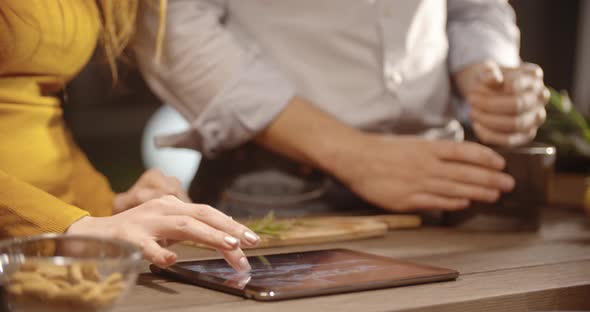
(54, 272)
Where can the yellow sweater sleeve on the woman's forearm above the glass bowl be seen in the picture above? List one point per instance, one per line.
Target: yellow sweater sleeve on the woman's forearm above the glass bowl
(27, 210)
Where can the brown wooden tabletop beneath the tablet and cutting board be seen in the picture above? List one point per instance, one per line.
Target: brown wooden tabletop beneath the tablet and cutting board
(544, 271)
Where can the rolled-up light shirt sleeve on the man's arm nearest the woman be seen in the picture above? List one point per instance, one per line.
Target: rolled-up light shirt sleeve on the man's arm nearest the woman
(226, 89)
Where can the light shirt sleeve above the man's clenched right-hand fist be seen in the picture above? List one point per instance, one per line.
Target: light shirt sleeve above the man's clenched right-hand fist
(479, 30)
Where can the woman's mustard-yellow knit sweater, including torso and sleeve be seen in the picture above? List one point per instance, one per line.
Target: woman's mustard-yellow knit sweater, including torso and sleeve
(46, 183)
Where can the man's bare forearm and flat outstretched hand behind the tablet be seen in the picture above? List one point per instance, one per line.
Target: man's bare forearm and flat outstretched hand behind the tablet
(396, 173)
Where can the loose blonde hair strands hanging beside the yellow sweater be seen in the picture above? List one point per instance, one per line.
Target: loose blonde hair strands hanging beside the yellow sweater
(119, 23)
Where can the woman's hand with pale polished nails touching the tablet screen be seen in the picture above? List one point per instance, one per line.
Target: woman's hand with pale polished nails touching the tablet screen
(168, 218)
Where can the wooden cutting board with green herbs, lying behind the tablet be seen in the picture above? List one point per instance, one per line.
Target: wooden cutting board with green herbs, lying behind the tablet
(319, 230)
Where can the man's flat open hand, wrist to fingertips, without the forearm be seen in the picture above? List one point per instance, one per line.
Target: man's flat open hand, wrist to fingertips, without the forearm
(408, 173)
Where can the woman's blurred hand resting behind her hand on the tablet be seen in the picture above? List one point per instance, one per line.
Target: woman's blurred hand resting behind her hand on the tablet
(151, 185)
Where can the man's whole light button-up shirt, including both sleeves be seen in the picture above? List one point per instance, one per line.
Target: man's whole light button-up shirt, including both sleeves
(231, 66)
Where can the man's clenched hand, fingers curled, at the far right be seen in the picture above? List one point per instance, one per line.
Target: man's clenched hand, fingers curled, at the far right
(507, 104)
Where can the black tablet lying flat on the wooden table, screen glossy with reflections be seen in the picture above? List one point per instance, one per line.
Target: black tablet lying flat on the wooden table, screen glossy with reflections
(304, 274)
